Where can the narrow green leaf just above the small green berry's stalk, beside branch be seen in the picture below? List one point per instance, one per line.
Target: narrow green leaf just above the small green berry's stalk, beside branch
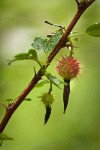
(53, 79)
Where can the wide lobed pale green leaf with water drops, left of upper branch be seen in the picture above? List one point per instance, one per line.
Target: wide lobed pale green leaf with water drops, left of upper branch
(46, 45)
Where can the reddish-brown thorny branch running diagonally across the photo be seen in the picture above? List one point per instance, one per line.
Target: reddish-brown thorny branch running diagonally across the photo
(82, 6)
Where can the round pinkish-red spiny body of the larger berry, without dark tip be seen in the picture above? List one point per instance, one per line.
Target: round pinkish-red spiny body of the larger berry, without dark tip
(68, 67)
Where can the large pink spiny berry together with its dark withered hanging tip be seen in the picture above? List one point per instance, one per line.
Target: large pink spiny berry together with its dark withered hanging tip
(68, 68)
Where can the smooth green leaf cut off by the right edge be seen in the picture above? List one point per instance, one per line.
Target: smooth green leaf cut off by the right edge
(94, 30)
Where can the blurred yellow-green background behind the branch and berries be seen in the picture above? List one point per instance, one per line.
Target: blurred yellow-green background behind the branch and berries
(79, 128)
